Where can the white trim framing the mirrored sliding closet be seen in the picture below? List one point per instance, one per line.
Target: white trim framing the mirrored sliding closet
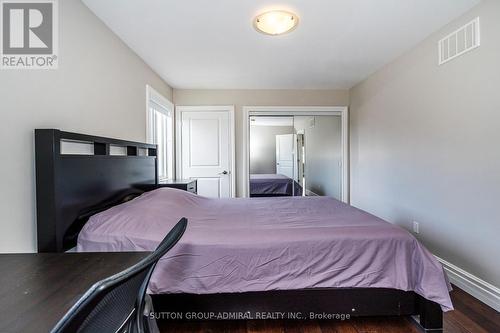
(342, 111)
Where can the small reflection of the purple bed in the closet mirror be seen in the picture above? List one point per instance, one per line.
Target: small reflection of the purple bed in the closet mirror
(273, 185)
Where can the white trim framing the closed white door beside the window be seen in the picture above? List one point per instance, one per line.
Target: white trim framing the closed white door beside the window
(178, 135)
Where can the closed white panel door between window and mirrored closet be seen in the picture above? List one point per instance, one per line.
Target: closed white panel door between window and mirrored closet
(206, 149)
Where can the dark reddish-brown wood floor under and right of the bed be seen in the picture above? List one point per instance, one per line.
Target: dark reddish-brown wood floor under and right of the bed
(469, 316)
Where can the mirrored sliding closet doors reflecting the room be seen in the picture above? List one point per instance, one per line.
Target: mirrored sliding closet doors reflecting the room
(295, 156)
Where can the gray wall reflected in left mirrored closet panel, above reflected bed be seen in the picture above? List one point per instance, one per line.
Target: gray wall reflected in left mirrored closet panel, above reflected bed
(263, 147)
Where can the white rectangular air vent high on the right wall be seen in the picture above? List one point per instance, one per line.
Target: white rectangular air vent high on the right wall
(459, 42)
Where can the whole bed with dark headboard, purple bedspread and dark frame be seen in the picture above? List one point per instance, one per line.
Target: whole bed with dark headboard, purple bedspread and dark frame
(286, 254)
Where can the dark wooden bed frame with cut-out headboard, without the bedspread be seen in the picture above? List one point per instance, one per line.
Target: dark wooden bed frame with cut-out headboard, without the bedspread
(70, 188)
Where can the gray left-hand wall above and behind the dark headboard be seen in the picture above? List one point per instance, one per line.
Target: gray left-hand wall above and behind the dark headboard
(99, 88)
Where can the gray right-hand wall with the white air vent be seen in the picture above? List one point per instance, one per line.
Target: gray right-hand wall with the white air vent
(425, 146)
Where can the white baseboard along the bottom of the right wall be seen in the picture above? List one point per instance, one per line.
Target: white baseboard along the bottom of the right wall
(480, 289)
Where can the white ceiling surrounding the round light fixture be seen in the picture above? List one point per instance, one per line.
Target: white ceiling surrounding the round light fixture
(213, 45)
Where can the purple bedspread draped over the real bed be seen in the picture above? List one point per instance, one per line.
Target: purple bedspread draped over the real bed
(239, 245)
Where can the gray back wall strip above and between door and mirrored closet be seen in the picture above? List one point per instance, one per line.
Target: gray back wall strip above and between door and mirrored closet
(240, 98)
